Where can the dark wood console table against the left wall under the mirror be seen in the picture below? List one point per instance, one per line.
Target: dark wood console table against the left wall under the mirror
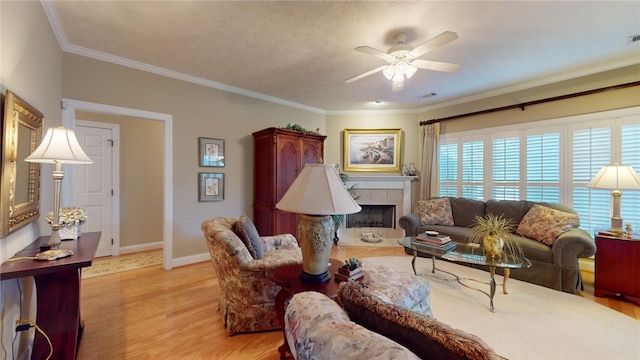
(58, 293)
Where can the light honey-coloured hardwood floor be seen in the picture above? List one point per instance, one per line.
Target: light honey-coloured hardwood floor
(156, 314)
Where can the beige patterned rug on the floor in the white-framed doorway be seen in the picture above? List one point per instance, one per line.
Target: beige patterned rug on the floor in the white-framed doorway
(115, 264)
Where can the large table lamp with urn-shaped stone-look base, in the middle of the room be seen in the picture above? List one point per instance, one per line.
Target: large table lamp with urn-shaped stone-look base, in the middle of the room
(317, 193)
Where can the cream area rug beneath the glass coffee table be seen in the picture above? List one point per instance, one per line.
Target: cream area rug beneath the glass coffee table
(531, 322)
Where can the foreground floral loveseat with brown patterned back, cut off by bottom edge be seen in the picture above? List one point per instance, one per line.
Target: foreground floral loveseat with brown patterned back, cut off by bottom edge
(371, 323)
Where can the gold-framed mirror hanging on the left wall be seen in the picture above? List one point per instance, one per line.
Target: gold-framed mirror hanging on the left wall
(20, 181)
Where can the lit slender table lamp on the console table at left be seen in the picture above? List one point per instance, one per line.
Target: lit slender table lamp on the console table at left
(59, 146)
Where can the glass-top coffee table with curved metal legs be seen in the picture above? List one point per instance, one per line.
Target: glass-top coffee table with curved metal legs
(467, 254)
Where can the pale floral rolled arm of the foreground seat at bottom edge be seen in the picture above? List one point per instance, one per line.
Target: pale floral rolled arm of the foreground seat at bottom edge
(318, 328)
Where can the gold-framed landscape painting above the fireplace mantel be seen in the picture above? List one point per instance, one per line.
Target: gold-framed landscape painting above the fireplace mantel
(372, 150)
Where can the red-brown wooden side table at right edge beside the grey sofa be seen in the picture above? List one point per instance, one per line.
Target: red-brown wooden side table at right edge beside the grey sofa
(616, 266)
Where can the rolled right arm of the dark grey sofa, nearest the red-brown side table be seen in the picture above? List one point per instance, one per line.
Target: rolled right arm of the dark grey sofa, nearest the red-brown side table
(572, 245)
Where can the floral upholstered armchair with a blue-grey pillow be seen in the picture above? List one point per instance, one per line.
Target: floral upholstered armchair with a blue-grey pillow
(244, 263)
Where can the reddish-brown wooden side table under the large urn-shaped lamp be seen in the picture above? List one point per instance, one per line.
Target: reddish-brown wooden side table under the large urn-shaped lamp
(288, 277)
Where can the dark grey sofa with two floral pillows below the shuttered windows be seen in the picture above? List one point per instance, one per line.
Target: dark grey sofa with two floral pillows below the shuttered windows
(548, 234)
